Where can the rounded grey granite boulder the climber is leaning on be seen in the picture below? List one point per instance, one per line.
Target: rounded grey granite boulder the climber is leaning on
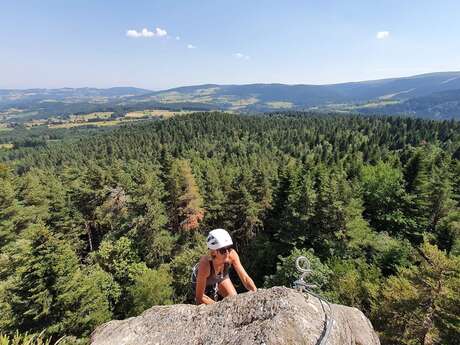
(278, 316)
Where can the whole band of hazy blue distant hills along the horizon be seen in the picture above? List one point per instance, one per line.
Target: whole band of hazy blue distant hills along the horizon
(434, 95)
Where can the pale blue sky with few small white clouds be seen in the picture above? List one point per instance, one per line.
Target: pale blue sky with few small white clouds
(76, 43)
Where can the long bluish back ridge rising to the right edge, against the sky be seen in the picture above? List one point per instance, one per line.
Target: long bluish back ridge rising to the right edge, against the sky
(401, 88)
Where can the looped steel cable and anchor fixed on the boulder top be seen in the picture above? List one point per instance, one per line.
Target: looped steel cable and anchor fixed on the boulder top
(303, 266)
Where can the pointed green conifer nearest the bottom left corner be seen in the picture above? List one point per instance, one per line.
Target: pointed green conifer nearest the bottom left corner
(46, 266)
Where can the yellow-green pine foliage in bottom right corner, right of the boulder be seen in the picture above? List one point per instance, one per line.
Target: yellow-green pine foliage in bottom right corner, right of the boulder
(420, 305)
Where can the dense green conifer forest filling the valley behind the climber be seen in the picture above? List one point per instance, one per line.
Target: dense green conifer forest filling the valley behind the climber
(103, 226)
